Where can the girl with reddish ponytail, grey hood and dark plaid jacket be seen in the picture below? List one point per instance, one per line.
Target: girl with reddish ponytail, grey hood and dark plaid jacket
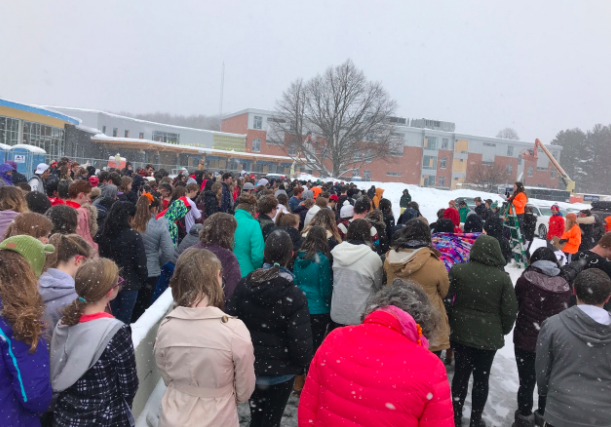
(93, 365)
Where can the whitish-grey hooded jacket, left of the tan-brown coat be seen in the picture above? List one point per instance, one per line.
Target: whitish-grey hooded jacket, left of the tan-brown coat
(357, 274)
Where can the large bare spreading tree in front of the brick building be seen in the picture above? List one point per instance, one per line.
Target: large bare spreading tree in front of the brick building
(336, 121)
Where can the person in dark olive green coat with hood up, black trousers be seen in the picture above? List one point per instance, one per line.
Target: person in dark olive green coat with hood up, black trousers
(482, 307)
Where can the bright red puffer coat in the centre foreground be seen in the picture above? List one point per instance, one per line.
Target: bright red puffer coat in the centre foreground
(374, 375)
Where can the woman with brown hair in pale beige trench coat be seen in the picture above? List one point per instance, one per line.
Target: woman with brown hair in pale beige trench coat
(206, 357)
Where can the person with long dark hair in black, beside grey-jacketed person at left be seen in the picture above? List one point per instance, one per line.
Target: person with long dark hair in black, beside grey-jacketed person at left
(118, 242)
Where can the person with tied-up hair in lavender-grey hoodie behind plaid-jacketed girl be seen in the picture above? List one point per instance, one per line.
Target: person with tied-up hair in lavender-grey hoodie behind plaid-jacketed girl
(56, 284)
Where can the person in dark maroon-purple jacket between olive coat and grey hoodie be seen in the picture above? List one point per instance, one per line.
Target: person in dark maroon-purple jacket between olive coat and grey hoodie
(542, 292)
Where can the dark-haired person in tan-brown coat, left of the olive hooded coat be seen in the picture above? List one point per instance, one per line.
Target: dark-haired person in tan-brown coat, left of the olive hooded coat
(413, 258)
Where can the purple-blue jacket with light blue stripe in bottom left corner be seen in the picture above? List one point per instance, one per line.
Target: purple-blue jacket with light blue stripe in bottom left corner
(25, 387)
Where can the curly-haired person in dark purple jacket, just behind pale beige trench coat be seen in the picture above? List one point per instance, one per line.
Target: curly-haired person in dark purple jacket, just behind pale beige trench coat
(217, 236)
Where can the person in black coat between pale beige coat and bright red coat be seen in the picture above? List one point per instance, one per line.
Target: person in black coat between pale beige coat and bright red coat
(275, 312)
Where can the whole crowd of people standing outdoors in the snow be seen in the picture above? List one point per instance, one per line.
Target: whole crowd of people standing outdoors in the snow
(287, 286)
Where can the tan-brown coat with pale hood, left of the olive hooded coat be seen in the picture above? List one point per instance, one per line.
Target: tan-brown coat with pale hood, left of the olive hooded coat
(424, 267)
